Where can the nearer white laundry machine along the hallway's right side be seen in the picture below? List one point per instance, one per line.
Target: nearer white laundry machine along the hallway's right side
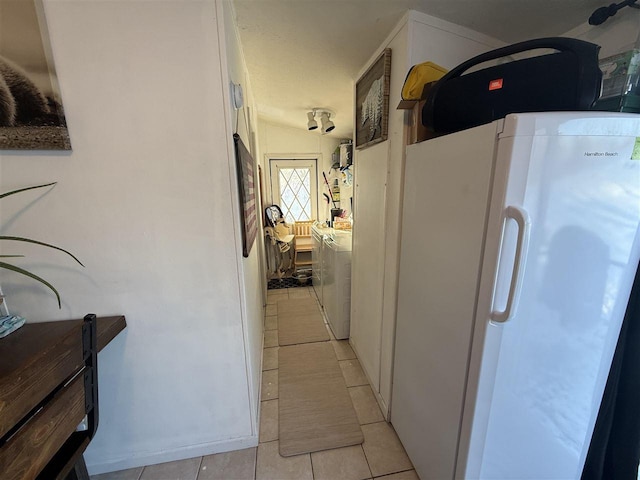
(336, 282)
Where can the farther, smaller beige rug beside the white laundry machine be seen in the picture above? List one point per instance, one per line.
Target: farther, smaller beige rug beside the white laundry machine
(300, 322)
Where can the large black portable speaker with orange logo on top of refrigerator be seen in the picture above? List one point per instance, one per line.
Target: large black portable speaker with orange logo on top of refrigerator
(567, 80)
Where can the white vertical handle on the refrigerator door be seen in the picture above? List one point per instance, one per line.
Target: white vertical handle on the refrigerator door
(524, 223)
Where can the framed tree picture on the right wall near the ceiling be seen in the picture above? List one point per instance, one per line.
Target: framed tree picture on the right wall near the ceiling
(372, 102)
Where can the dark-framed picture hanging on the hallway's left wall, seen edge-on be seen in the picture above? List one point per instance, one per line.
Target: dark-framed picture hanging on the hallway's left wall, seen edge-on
(246, 167)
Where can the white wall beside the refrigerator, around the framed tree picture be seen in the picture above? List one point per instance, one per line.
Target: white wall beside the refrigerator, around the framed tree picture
(378, 194)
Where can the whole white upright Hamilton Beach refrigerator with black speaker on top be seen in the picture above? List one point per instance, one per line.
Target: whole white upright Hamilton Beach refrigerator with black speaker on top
(520, 241)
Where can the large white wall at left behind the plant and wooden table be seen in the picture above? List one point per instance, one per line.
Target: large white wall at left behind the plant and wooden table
(148, 200)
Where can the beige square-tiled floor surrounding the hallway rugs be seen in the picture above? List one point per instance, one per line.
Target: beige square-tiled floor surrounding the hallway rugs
(380, 456)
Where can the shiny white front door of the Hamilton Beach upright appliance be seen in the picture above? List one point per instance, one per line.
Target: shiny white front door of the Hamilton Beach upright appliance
(582, 197)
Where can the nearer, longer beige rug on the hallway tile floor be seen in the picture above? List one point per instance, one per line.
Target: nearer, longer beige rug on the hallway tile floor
(315, 409)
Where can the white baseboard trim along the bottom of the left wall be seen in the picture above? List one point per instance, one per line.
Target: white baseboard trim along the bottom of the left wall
(181, 453)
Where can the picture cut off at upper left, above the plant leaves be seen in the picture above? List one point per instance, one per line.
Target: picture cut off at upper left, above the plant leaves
(31, 112)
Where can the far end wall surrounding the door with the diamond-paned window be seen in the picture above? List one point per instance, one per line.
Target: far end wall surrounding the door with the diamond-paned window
(279, 141)
